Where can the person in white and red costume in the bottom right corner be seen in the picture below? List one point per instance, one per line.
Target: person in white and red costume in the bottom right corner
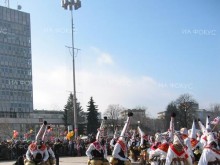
(210, 152)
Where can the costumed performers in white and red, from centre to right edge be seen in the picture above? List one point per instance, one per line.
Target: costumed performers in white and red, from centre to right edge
(174, 147)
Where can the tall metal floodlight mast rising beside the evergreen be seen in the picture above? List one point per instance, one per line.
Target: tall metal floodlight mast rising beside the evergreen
(70, 4)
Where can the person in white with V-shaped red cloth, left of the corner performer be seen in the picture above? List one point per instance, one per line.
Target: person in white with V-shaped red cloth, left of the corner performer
(177, 153)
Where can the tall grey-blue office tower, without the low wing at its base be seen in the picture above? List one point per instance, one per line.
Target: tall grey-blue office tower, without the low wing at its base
(16, 93)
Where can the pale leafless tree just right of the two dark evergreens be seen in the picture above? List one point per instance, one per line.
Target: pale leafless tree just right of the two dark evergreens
(113, 113)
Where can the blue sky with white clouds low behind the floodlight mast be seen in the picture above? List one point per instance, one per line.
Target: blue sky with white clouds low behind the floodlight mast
(142, 53)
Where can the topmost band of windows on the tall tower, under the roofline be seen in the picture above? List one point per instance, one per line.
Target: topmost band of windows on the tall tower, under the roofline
(14, 16)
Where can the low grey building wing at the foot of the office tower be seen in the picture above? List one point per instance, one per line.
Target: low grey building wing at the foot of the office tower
(33, 121)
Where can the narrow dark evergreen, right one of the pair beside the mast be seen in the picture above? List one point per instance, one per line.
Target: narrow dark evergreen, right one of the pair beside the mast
(92, 117)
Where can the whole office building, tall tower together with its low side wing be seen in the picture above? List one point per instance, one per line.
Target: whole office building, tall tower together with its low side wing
(16, 91)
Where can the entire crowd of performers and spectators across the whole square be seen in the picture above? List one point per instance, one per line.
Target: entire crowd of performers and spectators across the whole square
(174, 147)
